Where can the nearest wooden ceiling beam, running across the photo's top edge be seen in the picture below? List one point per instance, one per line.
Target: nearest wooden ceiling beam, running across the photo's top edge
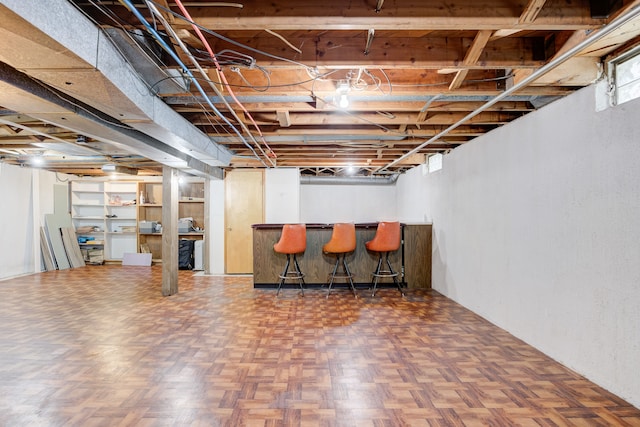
(410, 16)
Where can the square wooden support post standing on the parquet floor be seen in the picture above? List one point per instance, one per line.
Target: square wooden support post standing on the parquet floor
(169, 231)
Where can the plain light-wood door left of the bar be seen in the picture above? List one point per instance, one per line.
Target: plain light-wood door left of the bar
(244, 206)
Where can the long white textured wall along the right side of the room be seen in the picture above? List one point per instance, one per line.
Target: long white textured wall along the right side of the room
(536, 229)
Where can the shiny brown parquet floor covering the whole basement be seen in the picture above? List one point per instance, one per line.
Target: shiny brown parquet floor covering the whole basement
(100, 346)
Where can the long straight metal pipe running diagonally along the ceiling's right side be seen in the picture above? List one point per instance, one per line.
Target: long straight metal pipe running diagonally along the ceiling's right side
(604, 31)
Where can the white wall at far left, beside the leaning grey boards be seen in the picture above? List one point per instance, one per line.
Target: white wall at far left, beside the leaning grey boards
(26, 195)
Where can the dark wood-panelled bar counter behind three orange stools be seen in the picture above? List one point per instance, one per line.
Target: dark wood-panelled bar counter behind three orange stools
(412, 260)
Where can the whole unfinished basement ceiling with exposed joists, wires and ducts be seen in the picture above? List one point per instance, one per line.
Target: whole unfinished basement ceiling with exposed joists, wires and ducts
(206, 86)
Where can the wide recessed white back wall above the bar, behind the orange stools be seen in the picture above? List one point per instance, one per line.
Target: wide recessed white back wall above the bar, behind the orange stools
(347, 203)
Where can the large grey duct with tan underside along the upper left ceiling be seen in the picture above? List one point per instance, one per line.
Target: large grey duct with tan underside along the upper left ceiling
(60, 47)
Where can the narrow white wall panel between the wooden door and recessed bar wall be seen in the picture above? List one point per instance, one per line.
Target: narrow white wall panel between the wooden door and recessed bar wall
(282, 195)
